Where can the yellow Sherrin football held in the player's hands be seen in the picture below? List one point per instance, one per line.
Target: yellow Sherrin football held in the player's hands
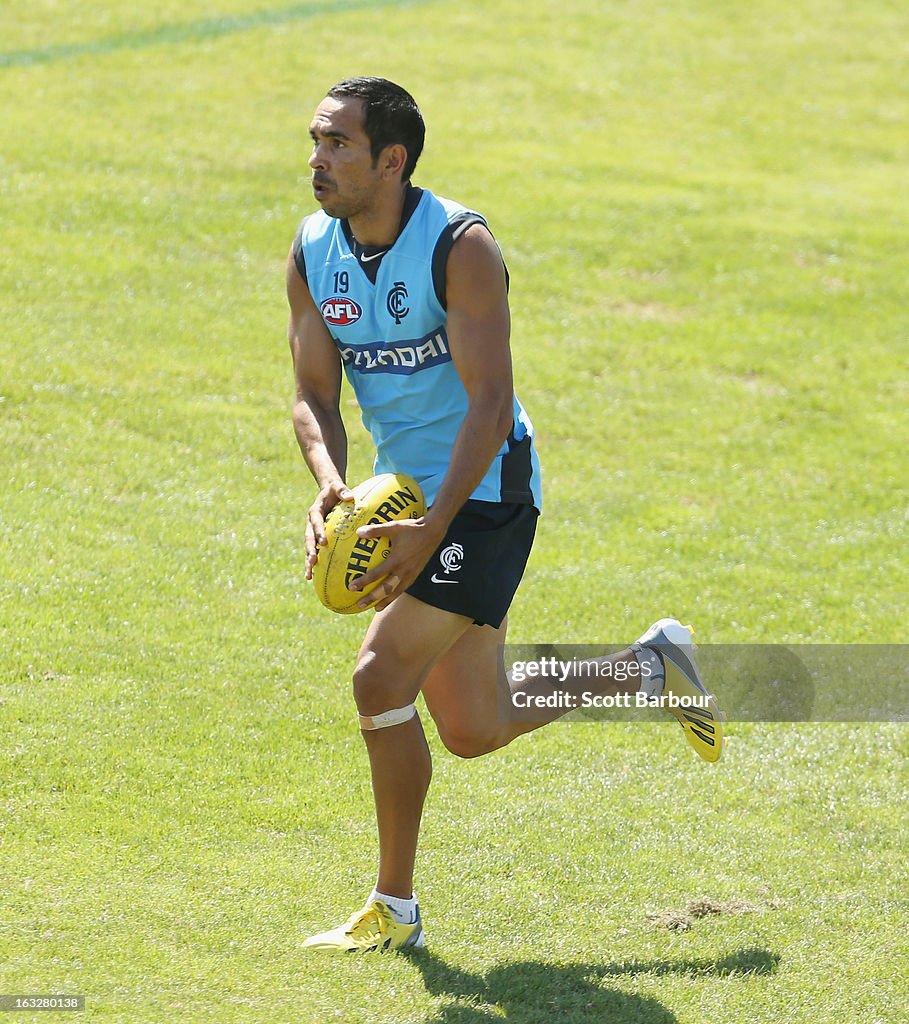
(347, 557)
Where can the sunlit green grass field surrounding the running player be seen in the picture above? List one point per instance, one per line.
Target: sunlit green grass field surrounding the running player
(704, 210)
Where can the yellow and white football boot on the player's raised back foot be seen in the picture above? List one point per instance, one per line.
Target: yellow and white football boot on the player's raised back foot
(684, 696)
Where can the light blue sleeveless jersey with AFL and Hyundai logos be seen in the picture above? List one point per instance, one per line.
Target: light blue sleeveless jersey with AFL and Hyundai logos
(395, 347)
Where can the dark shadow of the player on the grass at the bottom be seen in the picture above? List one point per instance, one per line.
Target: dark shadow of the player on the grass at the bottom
(538, 994)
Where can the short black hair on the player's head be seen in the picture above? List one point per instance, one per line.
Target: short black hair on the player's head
(391, 116)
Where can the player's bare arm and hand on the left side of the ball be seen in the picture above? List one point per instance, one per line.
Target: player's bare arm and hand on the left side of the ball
(318, 422)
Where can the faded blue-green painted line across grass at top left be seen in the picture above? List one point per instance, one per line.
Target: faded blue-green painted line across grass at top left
(208, 28)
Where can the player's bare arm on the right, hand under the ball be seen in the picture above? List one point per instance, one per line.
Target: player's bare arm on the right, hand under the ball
(479, 337)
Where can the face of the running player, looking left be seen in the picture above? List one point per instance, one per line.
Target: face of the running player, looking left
(344, 177)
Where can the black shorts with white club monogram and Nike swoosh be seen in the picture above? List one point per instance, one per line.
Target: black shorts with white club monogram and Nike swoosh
(478, 568)
